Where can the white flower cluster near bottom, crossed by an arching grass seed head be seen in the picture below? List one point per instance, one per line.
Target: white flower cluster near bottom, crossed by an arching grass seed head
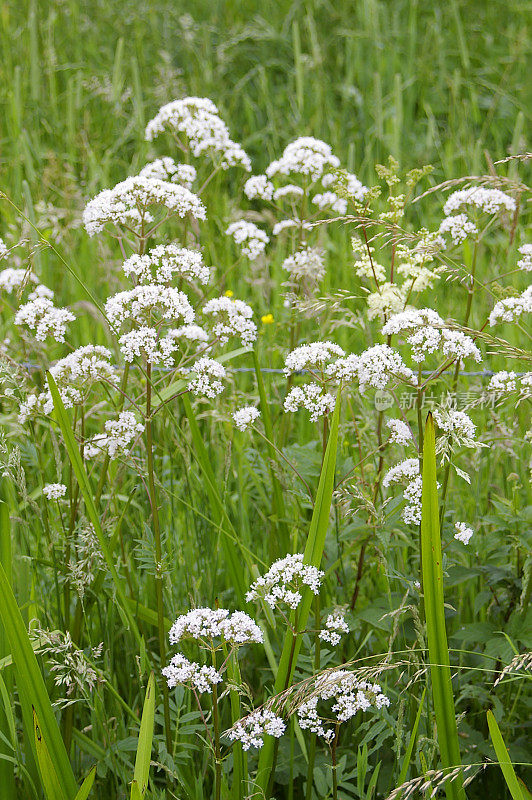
(349, 695)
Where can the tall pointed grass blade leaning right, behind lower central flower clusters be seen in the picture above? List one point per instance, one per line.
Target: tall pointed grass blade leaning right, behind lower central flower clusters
(312, 555)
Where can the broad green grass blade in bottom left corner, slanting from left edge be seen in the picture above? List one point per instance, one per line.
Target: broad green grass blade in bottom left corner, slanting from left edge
(31, 684)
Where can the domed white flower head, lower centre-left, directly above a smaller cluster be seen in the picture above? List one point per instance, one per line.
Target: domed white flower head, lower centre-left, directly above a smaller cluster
(206, 624)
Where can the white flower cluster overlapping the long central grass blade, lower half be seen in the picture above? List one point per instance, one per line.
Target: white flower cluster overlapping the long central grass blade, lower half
(284, 581)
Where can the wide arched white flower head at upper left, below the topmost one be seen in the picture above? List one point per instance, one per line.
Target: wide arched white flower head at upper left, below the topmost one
(128, 202)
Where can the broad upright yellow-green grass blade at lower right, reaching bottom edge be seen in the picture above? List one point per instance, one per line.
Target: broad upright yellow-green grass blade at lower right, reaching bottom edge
(440, 671)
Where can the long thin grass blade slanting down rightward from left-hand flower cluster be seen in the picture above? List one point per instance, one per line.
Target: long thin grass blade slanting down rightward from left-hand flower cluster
(85, 487)
